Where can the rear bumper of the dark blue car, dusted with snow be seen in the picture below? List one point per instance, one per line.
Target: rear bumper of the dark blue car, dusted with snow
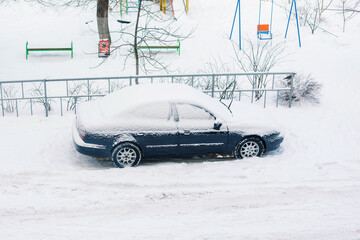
(90, 149)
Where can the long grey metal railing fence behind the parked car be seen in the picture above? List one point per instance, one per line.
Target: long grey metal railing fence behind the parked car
(54, 96)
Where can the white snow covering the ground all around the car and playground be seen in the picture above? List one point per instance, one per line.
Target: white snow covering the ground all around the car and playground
(310, 189)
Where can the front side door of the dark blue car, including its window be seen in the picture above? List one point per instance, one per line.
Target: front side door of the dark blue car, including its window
(200, 132)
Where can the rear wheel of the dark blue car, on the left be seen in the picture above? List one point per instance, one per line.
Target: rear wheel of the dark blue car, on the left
(126, 155)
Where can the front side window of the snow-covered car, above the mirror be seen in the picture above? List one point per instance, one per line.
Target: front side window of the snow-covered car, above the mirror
(188, 111)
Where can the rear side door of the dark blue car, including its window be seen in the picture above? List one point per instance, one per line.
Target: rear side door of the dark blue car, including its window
(156, 130)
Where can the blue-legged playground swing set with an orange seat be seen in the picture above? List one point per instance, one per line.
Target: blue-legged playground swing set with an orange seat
(264, 31)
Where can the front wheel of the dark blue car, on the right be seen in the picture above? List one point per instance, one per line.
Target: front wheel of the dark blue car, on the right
(249, 147)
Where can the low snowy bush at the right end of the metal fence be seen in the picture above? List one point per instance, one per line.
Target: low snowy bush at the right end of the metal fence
(305, 90)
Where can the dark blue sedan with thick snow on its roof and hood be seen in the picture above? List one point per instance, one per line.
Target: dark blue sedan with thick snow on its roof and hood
(165, 120)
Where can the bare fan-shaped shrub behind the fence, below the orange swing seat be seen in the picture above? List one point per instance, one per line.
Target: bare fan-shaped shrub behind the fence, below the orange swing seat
(259, 56)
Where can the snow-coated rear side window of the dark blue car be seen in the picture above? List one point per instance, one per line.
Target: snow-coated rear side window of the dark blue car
(153, 111)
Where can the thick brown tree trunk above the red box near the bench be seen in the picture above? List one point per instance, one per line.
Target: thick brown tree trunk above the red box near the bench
(102, 19)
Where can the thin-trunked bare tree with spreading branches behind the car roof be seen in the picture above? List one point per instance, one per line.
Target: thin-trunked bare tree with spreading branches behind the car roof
(150, 28)
